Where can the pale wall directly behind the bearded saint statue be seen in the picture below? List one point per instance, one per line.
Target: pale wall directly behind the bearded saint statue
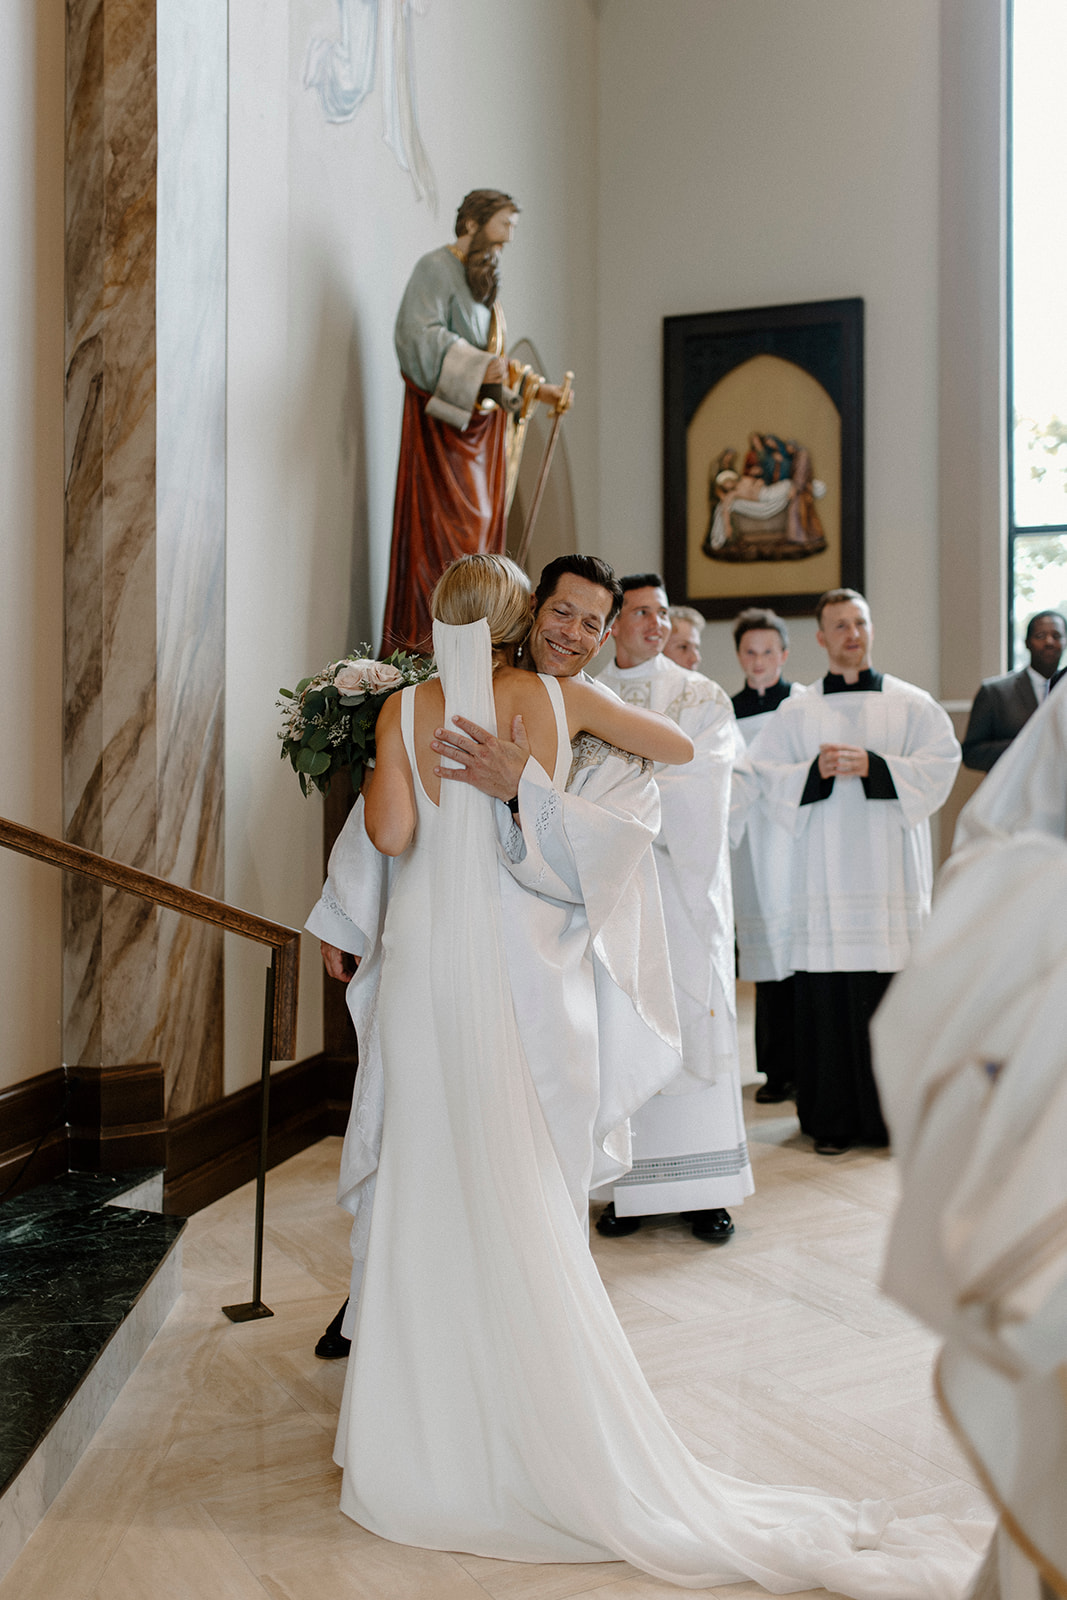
(324, 233)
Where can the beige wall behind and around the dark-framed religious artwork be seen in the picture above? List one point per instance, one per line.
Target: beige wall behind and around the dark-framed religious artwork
(754, 156)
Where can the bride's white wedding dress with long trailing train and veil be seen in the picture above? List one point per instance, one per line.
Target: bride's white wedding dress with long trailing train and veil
(492, 1402)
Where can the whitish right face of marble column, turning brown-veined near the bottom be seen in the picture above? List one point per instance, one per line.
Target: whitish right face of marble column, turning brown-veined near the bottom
(191, 529)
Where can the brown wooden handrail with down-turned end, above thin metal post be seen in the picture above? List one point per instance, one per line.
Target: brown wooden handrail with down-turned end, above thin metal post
(191, 903)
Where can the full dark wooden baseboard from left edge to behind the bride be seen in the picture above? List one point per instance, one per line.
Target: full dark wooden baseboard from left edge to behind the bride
(108, 1119)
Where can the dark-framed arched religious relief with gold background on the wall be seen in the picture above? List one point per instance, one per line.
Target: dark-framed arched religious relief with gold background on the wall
(764, 457)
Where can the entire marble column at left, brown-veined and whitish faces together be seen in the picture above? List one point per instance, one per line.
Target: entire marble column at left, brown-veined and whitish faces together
(146, 527)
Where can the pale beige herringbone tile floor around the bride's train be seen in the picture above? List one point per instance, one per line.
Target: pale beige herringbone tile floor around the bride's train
(775, 1354)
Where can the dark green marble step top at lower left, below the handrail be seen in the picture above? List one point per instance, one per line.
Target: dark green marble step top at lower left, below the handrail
(74, 1262)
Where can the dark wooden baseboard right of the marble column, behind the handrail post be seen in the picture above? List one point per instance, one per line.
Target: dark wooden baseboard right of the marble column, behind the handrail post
(215, 1150)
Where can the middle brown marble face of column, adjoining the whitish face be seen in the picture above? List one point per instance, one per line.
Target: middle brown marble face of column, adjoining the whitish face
(129, 545)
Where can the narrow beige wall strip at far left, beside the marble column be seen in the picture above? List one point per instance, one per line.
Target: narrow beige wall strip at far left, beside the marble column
(31, 537)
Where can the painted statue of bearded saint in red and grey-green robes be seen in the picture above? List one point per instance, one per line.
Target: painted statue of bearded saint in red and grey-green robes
(465, 415)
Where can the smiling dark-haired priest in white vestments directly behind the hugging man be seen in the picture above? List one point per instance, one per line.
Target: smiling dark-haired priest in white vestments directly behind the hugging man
(690, 1150)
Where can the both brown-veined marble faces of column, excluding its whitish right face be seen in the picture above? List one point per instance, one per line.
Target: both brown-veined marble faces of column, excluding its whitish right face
(110, 582)
